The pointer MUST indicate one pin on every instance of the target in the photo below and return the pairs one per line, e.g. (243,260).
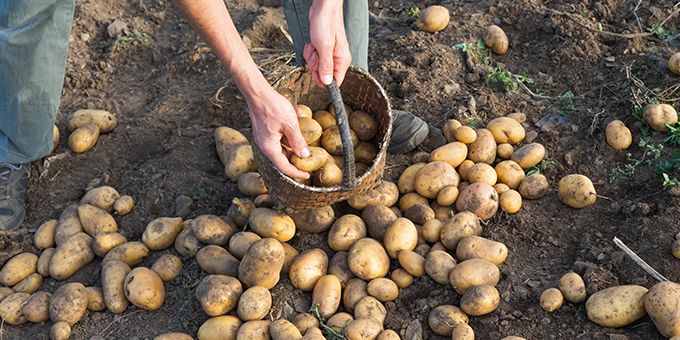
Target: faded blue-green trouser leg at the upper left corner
(33,47)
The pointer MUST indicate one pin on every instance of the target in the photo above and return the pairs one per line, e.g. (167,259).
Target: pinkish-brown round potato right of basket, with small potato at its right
(480,199)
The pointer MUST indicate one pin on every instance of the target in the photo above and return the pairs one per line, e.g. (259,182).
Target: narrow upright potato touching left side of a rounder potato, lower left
(113,285)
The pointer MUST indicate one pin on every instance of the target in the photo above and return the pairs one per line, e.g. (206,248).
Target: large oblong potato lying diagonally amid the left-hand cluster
(69,257)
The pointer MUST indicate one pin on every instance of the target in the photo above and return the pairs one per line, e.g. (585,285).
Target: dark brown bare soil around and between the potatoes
(162,82)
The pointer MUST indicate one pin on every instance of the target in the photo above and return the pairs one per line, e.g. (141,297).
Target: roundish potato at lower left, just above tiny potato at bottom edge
(68,303)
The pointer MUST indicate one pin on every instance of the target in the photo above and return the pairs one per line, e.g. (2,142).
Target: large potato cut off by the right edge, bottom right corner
(661,303)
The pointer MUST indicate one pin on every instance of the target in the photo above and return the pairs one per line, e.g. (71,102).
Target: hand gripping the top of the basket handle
(327,54)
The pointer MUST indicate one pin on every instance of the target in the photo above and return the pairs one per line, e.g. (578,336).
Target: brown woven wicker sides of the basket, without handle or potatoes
(361,92)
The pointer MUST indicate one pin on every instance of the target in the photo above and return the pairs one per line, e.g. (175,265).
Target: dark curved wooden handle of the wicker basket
(349,171)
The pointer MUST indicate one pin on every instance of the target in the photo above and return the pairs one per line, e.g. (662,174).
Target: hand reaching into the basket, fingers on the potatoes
(273,117)
